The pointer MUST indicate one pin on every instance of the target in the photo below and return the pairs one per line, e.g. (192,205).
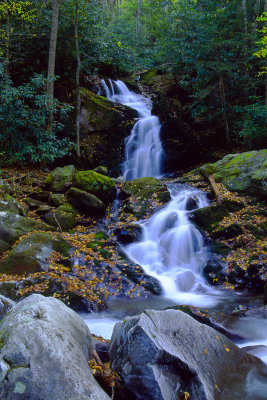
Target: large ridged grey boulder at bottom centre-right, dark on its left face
(167,354)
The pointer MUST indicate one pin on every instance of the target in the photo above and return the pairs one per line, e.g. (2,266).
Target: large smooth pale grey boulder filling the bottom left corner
(45,349)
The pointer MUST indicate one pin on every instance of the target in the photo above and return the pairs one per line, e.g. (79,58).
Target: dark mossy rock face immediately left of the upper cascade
(104,125)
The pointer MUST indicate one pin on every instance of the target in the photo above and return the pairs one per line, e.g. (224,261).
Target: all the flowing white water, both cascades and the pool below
(172,249)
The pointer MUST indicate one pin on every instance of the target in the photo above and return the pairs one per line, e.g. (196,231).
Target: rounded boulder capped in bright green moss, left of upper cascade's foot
(99,185)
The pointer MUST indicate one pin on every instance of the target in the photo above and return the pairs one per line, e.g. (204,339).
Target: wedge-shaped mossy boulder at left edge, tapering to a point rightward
(12,226)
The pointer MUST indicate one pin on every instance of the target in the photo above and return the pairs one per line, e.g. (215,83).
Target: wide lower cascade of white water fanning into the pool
(172,249)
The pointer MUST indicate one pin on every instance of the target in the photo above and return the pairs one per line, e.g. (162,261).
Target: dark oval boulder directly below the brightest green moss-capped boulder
(86,202)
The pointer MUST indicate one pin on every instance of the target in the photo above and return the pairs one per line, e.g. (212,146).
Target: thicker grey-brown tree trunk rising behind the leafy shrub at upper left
(52,58)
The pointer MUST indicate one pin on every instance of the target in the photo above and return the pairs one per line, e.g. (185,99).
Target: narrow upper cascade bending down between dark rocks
(143,148)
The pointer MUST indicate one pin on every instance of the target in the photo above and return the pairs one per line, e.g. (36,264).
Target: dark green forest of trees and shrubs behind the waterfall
(214,50)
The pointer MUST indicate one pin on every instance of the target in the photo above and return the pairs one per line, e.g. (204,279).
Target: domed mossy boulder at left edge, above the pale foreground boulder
(31,254)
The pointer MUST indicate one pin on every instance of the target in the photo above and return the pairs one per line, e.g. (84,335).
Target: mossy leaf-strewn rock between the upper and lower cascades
(142,194)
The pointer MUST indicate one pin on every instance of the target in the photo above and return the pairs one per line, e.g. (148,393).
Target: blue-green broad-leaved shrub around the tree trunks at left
(23,120)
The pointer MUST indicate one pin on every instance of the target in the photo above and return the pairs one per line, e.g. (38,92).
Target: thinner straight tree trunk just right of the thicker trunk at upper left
(77,83)
